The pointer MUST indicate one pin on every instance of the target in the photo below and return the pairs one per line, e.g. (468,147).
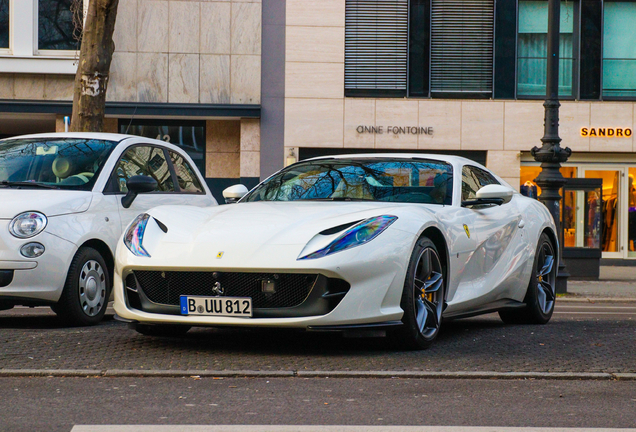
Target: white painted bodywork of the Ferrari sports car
(490,261)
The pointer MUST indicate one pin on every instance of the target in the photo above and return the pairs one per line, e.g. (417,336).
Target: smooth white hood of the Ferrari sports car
(253,224)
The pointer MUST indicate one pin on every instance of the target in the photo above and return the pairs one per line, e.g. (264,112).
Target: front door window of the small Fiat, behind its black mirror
(144,160)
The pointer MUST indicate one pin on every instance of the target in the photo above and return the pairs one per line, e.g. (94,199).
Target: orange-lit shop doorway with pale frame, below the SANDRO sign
(611,209)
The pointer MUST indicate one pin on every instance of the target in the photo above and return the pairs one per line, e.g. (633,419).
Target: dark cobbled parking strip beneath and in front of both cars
(582,337)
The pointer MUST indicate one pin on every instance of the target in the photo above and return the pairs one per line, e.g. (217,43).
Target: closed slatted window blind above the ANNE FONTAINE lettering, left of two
(376,40)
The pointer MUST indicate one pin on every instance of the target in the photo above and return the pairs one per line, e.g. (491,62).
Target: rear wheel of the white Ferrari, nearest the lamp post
(541,294)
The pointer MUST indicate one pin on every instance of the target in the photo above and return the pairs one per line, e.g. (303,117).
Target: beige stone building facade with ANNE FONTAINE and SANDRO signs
(469,77)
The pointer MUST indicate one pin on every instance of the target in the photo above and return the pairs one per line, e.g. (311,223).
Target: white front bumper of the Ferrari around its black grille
(375,276)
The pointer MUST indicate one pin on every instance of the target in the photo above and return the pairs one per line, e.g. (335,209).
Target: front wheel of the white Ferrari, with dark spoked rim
(422,298)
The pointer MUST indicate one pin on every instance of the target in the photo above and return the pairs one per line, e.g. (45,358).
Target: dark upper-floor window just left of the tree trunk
(59,24)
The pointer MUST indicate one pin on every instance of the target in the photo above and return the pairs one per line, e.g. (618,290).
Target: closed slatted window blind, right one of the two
(462,46)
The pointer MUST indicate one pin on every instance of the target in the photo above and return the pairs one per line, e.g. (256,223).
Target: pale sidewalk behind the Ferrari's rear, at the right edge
(615,283)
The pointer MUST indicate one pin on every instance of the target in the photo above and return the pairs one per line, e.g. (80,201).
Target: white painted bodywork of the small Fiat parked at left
(74,218)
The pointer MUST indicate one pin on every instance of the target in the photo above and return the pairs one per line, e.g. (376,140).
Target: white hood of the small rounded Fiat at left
(49,202)
